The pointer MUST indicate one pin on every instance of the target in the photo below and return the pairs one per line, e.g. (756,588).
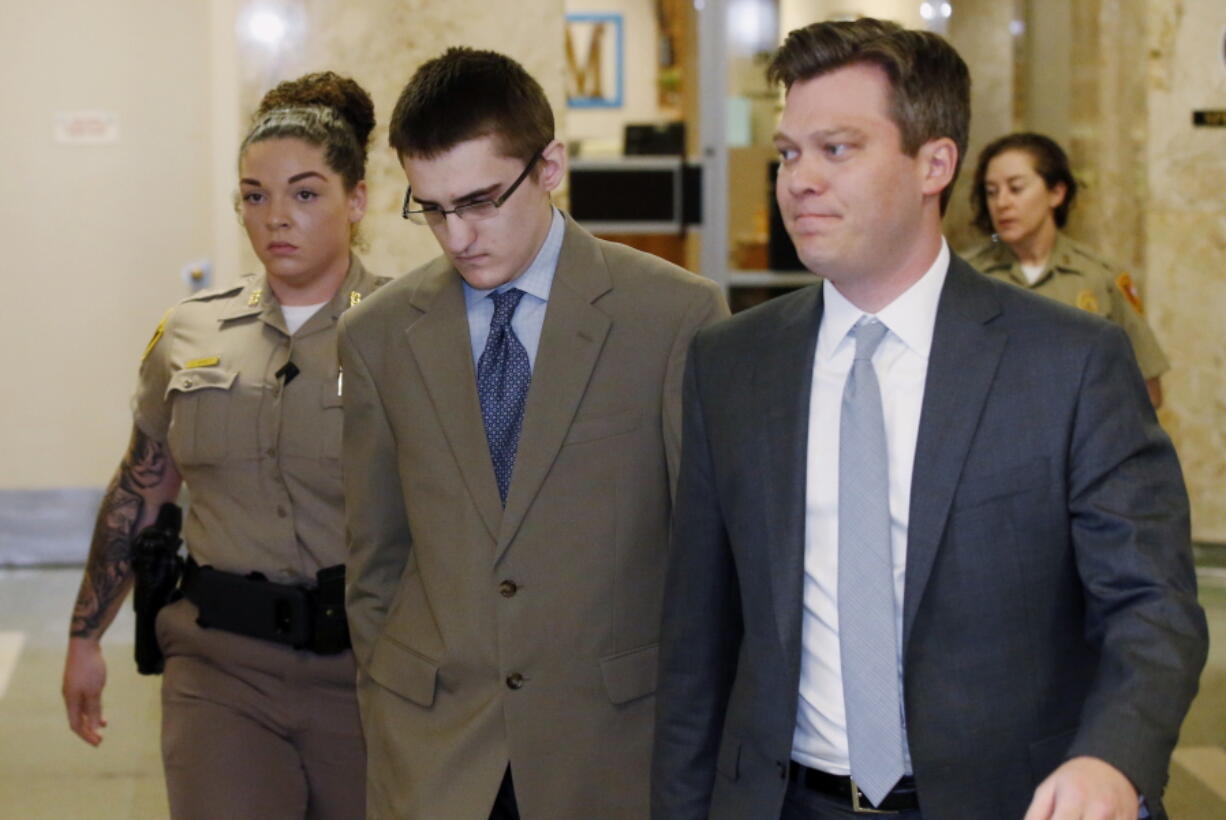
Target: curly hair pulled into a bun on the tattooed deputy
(323,110)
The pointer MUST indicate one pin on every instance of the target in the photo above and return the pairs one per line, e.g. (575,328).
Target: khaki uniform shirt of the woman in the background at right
(1077,276)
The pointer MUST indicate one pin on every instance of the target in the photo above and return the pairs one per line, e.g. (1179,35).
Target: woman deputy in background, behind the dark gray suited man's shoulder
(1022,196)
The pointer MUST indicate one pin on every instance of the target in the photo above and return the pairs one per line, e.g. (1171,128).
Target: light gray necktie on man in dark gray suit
(867,621)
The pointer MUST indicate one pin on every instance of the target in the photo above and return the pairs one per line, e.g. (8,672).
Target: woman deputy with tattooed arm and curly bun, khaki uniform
(240,398)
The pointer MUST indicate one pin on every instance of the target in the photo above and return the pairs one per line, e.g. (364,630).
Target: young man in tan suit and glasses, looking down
(512,439)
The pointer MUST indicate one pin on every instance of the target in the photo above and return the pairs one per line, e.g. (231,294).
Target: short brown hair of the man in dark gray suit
(930,84)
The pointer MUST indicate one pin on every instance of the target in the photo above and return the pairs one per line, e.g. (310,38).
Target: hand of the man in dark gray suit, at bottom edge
(1086,789)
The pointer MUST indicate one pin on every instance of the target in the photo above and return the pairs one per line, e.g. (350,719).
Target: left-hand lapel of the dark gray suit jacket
(784,384)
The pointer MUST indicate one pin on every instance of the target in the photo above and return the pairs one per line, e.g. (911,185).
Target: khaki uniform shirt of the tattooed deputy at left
(261,454)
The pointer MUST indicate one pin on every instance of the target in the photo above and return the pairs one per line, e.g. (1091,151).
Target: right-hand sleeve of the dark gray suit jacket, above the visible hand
(1129,514)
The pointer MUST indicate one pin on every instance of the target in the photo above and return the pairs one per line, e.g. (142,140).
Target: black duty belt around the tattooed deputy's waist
(306,618)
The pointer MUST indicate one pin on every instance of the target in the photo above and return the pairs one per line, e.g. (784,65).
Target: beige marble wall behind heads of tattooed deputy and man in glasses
(381,44)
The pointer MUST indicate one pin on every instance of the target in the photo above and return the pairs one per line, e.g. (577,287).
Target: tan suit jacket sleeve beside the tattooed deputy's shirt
(377,525)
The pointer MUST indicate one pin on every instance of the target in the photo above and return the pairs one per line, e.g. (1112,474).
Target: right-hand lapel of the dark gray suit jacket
(967,351)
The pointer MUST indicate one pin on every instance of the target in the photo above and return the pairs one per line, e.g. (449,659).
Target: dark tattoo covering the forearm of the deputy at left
(109,571)
